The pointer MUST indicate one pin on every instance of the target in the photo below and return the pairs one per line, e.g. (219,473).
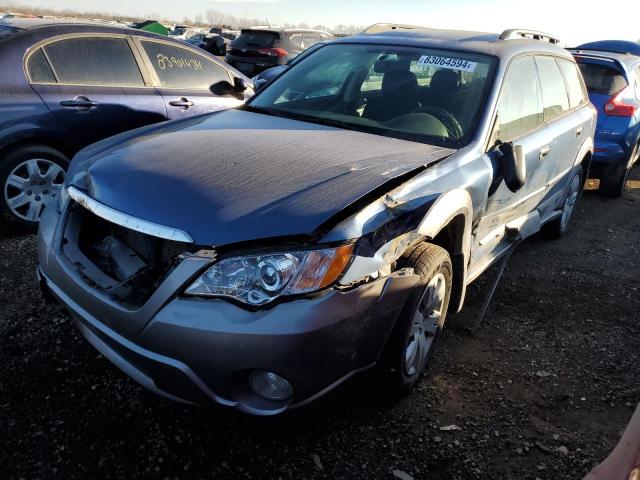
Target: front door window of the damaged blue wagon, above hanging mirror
(520,106)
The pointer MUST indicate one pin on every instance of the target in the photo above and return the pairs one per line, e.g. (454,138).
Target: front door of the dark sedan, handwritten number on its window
(184,77)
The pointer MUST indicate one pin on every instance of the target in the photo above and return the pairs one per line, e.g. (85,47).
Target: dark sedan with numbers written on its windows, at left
(68,84)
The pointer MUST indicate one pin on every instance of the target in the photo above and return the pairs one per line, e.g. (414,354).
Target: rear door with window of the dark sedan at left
(93,85)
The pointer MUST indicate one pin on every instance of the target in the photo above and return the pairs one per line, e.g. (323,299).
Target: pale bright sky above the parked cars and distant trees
(571,20)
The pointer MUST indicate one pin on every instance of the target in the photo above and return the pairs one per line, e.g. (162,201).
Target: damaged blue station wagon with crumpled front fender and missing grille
(262,256)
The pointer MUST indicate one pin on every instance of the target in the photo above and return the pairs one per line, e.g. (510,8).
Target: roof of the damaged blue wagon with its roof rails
(505,45)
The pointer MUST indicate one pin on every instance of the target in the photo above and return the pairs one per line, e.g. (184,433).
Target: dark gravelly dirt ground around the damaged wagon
(543,389)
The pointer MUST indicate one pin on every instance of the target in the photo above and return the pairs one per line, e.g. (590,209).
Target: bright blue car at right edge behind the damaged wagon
(611,70)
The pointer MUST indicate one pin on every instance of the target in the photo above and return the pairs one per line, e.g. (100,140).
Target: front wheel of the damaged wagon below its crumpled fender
(414,336)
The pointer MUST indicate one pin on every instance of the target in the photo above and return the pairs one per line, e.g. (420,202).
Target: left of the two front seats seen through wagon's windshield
(398,96)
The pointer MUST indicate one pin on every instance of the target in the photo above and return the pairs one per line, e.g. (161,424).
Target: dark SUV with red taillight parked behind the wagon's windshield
(259,48)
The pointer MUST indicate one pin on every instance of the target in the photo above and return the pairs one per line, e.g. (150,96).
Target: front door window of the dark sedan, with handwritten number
(181,68)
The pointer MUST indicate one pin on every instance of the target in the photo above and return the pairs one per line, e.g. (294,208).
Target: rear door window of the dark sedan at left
(98,61)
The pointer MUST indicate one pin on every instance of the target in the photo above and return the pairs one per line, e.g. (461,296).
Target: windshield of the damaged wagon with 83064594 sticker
(418,94)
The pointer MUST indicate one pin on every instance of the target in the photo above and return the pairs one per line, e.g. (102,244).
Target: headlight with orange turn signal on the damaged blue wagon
(260,279)
